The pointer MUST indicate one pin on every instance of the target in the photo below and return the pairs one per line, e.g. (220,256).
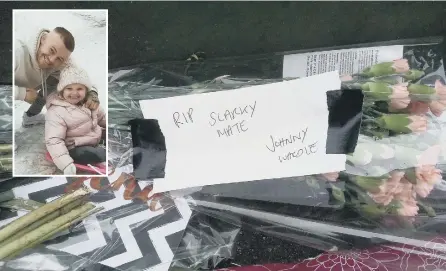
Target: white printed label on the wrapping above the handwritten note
(346,61)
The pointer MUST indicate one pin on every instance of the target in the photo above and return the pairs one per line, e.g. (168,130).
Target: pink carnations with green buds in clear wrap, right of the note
(394,166)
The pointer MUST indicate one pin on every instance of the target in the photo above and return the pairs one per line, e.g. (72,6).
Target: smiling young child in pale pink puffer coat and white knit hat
(73,132)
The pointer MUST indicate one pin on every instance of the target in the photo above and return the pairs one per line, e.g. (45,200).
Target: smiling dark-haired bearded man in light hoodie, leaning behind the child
(38,62)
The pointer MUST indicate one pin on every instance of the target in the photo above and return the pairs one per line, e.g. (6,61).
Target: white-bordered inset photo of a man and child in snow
(60,92)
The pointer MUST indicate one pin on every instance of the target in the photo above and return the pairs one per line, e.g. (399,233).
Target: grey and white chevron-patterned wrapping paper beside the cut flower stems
(125,235)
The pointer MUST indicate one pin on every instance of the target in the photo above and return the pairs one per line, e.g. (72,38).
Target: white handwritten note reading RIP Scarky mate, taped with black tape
(253,133)
